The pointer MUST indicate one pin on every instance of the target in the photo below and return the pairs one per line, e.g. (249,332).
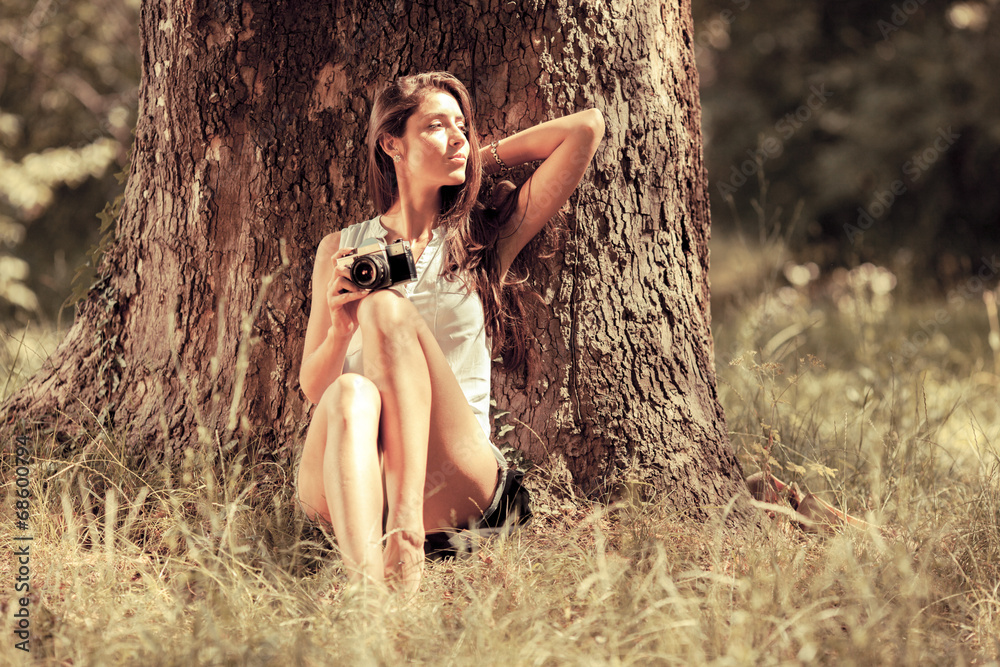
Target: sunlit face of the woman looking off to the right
(435,145)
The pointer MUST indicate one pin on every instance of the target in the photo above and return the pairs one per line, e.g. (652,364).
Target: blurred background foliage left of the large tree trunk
(69,75)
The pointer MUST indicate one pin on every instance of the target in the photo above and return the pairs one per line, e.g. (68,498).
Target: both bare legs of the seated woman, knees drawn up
(438,467)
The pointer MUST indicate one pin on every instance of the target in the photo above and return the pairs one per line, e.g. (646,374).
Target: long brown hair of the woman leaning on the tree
(475,222)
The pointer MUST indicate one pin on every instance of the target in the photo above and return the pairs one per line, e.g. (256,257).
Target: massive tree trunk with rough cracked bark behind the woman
(250,147)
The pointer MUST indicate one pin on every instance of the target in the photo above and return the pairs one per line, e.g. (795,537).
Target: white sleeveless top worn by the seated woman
(453,313)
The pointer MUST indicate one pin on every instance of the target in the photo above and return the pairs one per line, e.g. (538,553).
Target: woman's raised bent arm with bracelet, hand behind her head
(567,145)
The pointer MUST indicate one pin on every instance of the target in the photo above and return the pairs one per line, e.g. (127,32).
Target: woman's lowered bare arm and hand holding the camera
(332,321)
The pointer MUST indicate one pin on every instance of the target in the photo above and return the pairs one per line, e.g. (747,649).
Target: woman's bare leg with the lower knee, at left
(340,478)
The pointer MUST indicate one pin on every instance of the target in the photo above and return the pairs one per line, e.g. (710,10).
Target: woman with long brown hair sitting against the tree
(401,425)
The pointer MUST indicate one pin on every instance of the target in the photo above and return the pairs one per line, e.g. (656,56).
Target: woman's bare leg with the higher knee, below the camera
(439,470)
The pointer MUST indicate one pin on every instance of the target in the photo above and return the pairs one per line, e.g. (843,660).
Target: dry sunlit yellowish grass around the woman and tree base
(837,382)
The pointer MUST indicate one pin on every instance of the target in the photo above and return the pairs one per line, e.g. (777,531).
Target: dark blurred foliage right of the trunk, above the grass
(876,124)
